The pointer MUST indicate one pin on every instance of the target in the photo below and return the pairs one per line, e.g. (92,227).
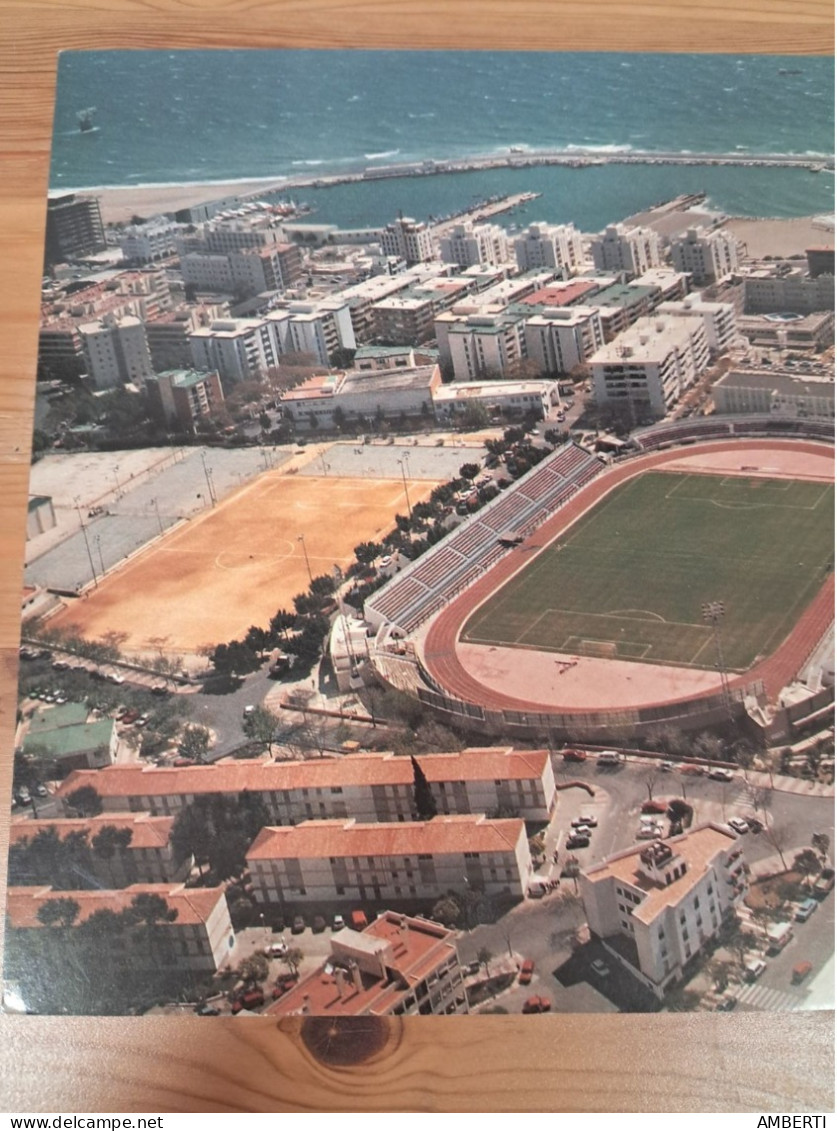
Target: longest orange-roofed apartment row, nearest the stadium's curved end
(367,787)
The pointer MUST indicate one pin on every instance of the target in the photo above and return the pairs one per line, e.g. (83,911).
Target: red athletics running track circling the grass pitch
(439,649)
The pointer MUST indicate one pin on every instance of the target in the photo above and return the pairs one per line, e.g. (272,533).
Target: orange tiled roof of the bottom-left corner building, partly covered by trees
(193,905)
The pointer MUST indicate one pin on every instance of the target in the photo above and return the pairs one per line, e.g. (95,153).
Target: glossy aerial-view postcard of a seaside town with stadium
(429,575)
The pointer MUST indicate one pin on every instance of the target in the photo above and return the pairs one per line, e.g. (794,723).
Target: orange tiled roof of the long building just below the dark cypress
(441,836)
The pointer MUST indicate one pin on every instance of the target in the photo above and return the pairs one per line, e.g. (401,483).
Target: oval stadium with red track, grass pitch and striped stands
(686,584)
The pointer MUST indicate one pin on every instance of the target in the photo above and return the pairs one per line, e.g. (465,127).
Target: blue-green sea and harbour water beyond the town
(186,117)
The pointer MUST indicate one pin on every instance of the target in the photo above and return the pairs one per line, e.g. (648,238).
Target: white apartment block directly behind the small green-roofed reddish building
(237,349)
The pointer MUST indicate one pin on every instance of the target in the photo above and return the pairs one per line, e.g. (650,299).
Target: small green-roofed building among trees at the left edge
(64,737)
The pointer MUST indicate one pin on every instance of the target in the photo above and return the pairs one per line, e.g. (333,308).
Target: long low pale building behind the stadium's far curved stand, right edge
(781,394)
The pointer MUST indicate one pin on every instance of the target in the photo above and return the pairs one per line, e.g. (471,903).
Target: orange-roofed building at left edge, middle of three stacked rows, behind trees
(149,858)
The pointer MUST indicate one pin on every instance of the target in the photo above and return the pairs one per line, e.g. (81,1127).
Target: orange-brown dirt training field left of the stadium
(234,567)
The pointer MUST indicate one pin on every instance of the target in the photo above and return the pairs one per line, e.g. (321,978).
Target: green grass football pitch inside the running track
(631,577)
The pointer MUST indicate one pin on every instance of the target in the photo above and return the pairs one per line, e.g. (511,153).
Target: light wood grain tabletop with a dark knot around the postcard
(674,1063)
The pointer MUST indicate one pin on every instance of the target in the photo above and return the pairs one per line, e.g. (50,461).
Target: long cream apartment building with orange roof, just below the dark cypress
(343,861)
